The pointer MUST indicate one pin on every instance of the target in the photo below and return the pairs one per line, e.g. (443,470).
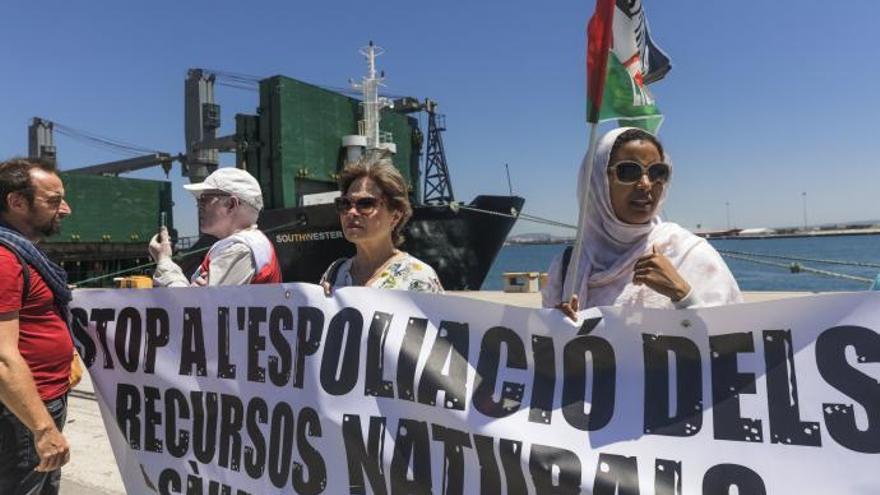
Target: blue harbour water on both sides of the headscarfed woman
(750,276)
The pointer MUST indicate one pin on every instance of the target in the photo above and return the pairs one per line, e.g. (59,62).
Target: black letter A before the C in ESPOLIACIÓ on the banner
(452,344)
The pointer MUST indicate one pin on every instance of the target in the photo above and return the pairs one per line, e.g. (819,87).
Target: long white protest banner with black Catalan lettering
(279,389)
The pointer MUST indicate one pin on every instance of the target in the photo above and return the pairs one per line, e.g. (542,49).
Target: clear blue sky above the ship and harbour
(766,100)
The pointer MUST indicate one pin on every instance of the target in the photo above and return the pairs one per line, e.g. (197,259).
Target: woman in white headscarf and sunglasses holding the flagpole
(629,256)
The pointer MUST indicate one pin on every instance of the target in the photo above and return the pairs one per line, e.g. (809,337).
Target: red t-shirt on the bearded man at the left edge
(43,339)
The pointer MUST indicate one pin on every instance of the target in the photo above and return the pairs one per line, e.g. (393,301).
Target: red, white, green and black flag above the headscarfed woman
(621,61)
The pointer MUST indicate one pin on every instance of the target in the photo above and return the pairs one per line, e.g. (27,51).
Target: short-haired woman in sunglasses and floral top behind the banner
(373,209)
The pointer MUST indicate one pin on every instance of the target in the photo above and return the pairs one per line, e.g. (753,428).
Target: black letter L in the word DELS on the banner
(786,426)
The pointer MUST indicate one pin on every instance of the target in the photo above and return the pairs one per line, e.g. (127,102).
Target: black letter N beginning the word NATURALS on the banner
(365,457)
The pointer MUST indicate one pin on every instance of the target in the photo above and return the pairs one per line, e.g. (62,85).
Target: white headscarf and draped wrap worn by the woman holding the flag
(610,248)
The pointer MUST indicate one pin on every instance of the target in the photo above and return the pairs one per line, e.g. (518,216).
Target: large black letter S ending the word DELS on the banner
(831,360)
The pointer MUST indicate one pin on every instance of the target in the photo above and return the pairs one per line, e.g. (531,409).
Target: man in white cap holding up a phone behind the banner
(229,202)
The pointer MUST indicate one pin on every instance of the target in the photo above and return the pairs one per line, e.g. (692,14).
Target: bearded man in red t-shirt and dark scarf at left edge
(35,343)
